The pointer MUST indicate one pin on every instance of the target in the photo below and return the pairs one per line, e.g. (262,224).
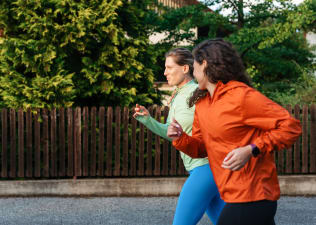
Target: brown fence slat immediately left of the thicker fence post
(70,125)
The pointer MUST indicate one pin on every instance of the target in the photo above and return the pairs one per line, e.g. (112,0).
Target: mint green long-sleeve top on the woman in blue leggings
(179,110)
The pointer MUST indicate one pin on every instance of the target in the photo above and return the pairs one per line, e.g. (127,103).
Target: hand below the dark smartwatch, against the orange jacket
(237,158)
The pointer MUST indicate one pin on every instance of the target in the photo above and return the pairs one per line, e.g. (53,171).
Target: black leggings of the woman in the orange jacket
(249,213)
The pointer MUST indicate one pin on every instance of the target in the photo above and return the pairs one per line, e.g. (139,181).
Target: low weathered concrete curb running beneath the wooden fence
(303,185)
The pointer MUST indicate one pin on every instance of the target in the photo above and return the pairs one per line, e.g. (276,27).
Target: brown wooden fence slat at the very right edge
(313,139)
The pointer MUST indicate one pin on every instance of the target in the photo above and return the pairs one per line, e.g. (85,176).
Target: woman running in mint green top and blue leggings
(199,193)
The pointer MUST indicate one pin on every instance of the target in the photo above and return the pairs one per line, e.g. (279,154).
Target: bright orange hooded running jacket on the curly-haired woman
(236,116)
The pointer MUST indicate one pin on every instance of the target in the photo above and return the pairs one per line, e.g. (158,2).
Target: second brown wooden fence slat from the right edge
(305,139)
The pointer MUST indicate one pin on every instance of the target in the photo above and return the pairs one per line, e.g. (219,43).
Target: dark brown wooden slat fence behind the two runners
(109,142)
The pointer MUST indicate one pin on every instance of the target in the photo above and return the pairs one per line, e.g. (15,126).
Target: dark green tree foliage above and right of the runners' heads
(269,36)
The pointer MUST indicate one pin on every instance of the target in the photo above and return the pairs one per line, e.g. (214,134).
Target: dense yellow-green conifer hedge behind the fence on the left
(58,53)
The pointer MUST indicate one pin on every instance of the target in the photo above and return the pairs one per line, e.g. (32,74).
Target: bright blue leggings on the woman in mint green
(199,194)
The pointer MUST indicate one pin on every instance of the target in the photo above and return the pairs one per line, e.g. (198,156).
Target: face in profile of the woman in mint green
(174,73)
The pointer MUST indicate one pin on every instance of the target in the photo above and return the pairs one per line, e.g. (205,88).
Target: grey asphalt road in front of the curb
(127,211)
